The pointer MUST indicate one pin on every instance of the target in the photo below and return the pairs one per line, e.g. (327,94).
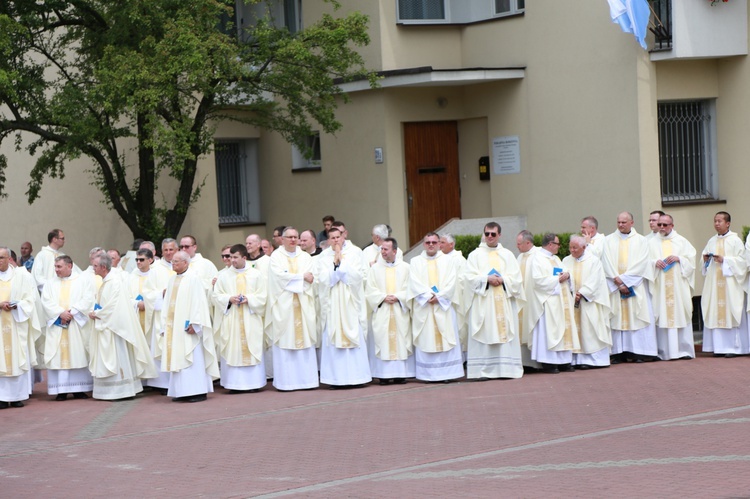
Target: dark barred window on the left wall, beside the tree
(238,193)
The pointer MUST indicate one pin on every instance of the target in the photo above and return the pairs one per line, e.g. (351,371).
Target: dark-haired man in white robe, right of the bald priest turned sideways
(239,298)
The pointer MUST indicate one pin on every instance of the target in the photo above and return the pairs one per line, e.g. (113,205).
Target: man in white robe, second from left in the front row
(67,300)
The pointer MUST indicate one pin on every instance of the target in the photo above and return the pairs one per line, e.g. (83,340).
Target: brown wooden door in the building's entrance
(432,181)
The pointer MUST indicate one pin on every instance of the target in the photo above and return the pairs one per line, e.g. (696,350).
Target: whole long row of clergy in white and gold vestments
(344,316)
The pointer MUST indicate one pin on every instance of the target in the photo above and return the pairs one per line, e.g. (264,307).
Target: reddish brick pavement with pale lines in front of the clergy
(663,429)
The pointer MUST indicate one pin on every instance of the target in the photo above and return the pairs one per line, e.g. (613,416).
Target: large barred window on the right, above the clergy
(687,158)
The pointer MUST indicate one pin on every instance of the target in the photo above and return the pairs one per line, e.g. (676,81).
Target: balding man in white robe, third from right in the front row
(627,268)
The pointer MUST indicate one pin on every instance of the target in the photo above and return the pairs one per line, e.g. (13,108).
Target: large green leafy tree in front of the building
(137,87)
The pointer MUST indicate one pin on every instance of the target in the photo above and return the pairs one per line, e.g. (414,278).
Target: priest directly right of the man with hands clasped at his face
(390,346)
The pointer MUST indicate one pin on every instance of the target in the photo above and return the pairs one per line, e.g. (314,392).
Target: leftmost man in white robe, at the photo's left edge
(19,330)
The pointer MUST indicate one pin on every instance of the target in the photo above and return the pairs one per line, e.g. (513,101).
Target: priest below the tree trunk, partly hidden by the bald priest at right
(147,285)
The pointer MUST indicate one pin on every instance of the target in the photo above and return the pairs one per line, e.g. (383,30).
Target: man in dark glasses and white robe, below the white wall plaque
(494,287)
